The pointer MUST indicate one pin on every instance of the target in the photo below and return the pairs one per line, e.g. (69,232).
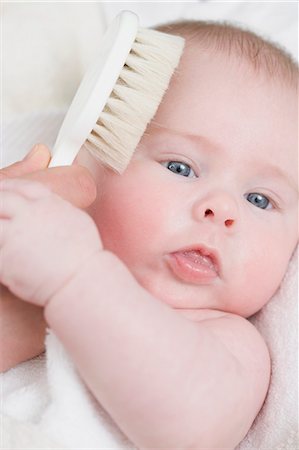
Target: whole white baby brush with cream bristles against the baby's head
(119,94)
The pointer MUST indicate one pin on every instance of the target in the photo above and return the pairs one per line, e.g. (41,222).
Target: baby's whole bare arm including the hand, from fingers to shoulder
(166,381)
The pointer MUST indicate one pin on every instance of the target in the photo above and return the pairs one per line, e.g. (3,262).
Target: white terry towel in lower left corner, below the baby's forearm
(44,403)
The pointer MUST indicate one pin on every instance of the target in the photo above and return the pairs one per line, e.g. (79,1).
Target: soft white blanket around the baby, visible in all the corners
(46,48)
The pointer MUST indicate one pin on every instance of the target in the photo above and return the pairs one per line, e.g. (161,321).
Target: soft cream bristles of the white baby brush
(135,98)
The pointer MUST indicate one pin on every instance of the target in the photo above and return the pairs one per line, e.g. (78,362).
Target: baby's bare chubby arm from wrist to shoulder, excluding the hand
(167,382)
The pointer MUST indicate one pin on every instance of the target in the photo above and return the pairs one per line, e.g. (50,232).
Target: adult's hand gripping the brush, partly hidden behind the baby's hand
(22,326)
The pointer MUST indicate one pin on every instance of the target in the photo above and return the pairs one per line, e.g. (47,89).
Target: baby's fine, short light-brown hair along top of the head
(262,54)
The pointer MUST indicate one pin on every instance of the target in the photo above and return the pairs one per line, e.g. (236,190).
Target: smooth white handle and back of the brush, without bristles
(95,88)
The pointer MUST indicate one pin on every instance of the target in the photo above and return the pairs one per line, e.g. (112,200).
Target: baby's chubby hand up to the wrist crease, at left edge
(43,240)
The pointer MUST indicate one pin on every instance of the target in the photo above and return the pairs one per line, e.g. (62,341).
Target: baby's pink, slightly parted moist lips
(196,265)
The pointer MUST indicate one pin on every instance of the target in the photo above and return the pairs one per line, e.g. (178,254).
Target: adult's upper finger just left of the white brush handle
(37,159)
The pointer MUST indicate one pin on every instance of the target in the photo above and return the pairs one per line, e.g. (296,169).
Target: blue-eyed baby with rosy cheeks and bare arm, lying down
(149,292)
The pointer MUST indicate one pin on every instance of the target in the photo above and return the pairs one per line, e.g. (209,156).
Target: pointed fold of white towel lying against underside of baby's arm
(73,417)
